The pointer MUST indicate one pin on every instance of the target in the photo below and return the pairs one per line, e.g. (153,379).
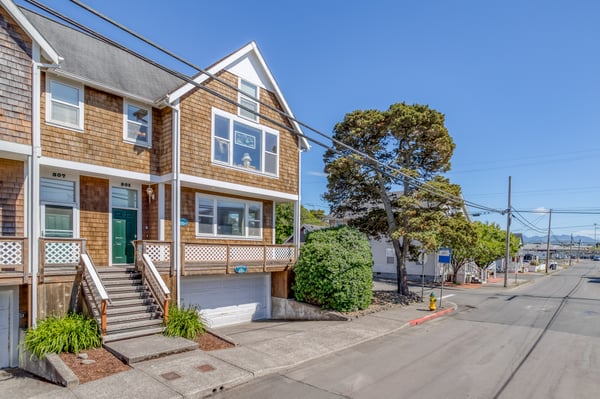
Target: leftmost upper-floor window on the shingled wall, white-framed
(64,104)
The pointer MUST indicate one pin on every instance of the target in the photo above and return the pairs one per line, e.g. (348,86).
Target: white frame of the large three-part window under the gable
(231,144)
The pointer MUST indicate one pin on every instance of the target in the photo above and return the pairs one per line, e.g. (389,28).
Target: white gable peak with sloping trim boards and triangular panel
(248,63)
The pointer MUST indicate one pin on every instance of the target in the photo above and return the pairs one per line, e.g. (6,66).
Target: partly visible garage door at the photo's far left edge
(8,328)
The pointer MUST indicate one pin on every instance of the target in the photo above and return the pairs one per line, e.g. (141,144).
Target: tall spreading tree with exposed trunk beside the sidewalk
(400,147)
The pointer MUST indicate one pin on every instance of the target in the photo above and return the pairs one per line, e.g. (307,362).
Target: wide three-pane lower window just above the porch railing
(226,217)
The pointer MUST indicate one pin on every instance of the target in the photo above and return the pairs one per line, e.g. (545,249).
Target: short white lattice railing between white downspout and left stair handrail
(61,254)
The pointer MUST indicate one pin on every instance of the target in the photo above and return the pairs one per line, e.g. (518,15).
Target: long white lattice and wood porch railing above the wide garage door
(236,258)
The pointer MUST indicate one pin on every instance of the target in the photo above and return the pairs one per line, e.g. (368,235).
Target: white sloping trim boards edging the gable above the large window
(250,48)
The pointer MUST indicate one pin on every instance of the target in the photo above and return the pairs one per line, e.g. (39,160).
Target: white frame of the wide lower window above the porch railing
(215,201)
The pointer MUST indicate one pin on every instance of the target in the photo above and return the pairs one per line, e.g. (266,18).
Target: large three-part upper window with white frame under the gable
(244,145)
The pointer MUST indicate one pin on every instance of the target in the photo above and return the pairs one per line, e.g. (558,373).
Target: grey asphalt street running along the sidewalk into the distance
(538,340)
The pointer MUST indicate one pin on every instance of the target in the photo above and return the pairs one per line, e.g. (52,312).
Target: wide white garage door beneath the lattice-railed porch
(232,299)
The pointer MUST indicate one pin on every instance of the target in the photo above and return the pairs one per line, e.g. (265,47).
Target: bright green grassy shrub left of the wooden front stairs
(71,333)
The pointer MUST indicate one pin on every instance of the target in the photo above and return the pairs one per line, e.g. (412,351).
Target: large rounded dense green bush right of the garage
(335,270)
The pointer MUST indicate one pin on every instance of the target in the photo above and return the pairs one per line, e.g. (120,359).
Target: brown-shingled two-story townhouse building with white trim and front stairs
(99,149)
